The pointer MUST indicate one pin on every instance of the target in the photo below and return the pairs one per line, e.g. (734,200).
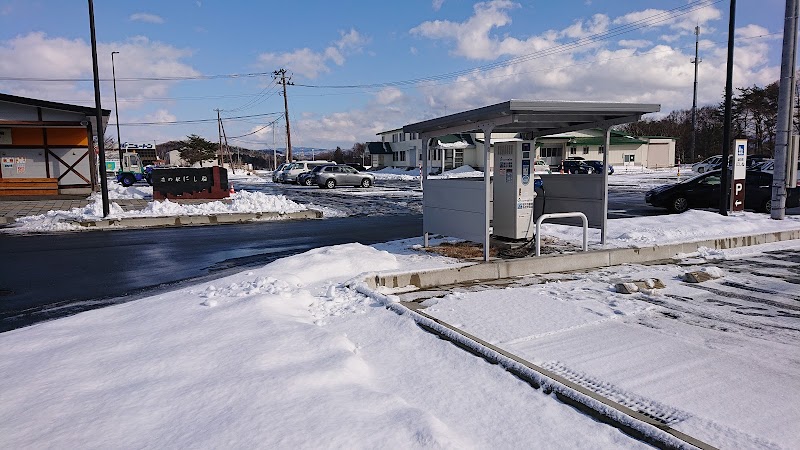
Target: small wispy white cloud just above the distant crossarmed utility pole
(311,64)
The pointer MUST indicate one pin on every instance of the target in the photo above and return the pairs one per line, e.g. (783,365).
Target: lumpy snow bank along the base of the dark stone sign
(240,202)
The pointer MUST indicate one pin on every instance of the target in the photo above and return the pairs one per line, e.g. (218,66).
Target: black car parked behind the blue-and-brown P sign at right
(703,191)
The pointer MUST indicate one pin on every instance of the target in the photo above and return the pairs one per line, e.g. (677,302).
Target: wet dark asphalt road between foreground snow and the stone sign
(50,276)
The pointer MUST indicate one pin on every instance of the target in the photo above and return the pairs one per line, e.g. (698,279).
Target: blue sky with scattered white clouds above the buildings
(409,60)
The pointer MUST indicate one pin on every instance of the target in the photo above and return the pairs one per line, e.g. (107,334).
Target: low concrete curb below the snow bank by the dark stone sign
(214,219)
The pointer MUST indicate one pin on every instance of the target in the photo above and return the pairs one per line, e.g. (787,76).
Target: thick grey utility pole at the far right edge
(785,110)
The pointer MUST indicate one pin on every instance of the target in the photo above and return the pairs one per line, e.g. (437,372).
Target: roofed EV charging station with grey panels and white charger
(503,202)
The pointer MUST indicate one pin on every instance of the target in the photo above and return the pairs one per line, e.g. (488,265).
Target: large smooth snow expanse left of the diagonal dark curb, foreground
(283,356)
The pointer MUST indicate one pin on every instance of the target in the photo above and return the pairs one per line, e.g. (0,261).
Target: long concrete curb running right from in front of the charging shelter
(495,270)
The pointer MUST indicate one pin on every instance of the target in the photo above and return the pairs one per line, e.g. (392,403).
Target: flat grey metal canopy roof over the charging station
(537,117)
